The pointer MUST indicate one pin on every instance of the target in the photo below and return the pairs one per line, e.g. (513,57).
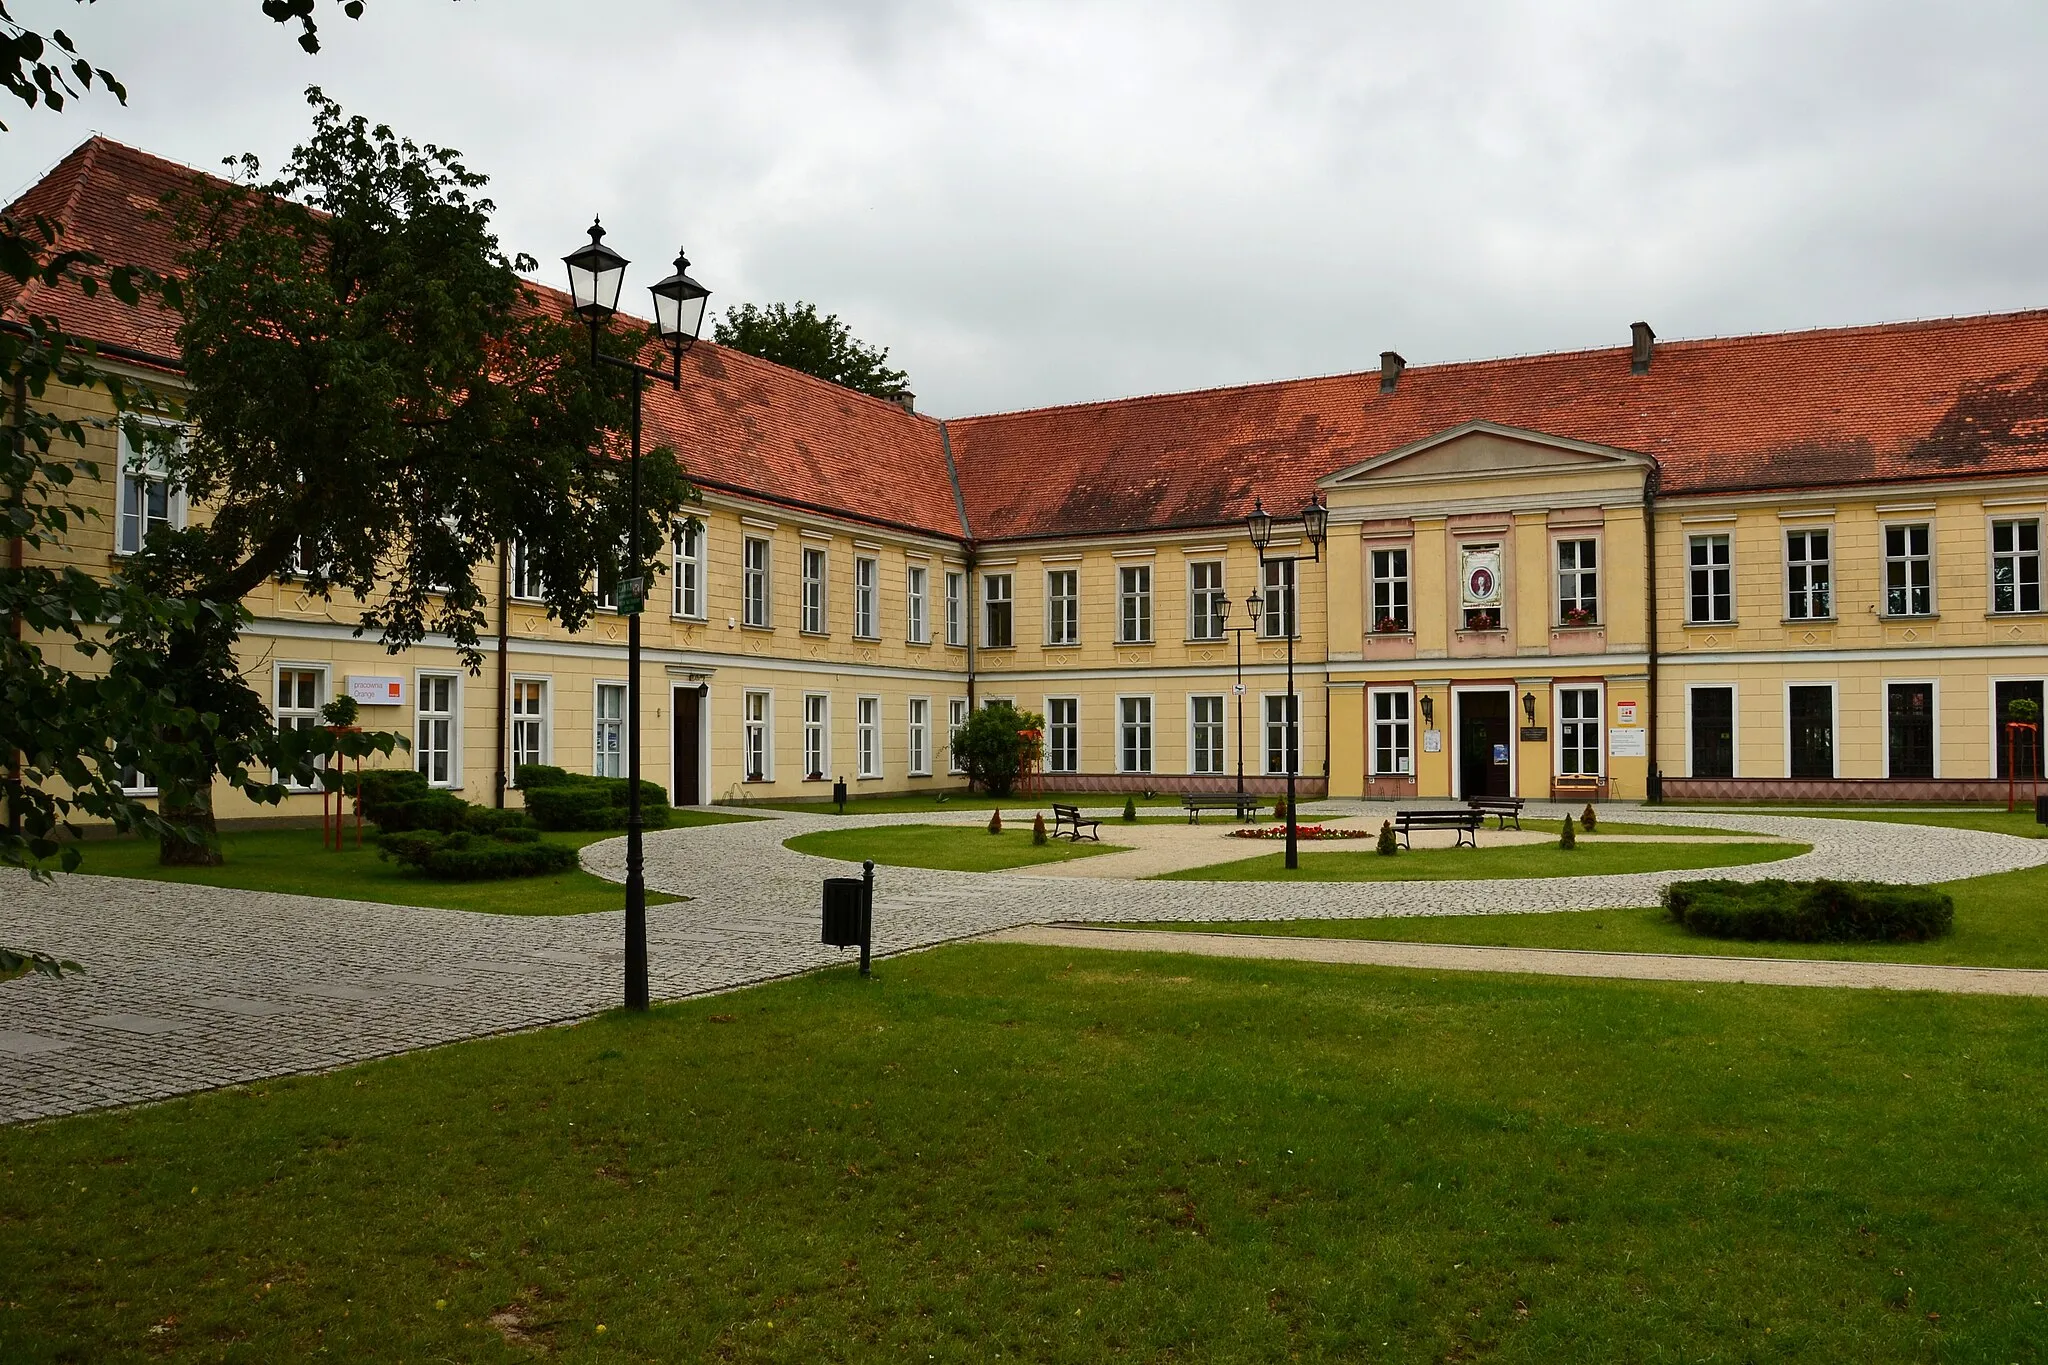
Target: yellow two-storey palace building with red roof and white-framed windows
(1799,566)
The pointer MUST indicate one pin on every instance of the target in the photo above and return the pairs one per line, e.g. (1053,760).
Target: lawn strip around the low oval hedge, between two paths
(2000,922)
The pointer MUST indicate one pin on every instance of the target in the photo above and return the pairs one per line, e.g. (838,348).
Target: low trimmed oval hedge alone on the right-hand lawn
(1811,912)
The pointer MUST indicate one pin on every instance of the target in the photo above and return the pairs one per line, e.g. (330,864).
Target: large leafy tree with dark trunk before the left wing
(378,402)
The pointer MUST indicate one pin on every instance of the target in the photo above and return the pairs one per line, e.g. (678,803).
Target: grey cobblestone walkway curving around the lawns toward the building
(196,987)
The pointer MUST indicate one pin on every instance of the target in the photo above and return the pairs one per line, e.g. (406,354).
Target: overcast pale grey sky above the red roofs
(1048,204)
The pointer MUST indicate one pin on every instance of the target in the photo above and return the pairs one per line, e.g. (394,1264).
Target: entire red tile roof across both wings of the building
(1910,402)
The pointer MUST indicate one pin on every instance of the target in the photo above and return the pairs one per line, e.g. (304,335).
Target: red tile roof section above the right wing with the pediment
(1902,402)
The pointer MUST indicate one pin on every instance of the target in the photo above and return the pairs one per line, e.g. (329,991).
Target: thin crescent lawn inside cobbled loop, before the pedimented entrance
(1514,861)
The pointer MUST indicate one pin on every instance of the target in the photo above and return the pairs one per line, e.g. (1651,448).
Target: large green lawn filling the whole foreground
(1013,1153)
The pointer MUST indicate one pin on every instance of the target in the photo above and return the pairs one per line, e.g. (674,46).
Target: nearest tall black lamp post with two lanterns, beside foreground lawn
(597,275)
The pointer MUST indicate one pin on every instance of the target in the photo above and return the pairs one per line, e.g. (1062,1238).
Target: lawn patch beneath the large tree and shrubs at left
(292,861)
